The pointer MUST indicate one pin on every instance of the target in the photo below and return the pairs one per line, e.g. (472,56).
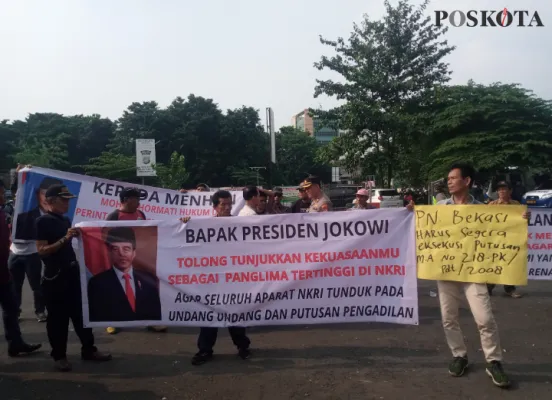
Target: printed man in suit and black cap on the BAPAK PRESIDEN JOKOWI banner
(123,293)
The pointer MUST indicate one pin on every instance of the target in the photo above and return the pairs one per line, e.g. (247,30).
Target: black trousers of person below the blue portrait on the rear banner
(30,265)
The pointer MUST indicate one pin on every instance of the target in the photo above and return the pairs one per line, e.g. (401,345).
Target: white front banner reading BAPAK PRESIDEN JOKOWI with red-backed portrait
(245,271)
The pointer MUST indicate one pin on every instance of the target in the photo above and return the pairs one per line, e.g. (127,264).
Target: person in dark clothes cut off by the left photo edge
(8,299)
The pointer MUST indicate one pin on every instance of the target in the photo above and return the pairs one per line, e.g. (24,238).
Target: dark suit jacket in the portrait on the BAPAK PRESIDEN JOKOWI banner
(107,300)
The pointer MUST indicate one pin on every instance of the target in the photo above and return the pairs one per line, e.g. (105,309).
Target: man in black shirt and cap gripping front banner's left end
(61,284)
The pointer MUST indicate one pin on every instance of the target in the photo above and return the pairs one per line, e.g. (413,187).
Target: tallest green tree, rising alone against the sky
(388,68)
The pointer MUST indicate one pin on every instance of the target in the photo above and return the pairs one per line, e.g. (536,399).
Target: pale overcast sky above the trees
(99,56)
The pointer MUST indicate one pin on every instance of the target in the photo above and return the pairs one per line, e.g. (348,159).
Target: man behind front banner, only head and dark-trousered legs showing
(222,203)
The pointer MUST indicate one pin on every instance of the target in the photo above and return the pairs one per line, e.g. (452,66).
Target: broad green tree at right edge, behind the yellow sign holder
(494,127)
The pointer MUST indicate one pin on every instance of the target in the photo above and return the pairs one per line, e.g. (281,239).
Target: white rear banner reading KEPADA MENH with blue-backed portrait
(98,197)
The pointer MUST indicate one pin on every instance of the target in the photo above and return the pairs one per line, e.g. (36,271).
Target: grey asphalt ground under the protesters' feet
(351,361)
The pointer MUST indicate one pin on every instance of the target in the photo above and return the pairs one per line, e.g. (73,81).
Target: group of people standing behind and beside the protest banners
(60,287)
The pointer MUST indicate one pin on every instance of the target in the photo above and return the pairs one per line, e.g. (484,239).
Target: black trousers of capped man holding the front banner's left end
(64,303)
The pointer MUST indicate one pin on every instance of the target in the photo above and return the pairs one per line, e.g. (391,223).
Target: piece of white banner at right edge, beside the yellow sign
(539,246)
